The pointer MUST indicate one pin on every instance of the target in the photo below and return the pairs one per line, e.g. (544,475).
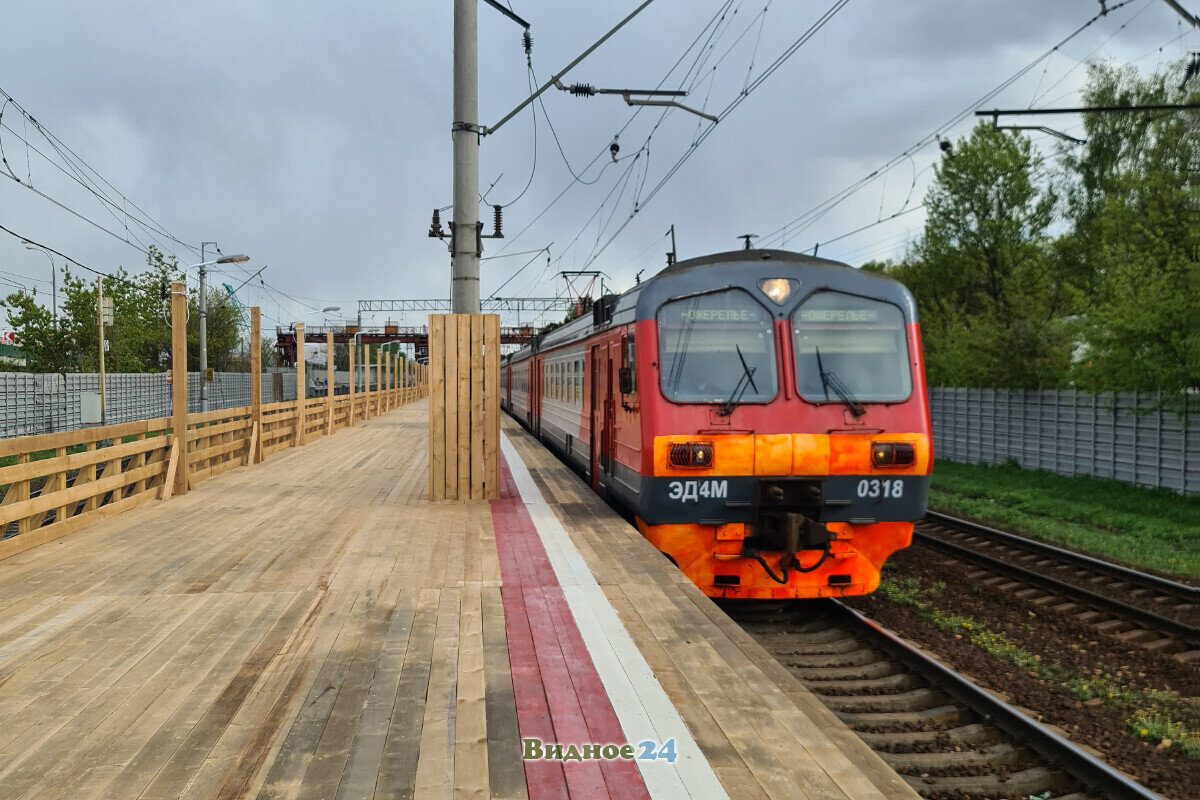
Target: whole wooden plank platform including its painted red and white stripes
(314,628)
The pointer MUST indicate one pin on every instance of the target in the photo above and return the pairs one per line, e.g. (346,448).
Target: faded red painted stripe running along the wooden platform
(559,693)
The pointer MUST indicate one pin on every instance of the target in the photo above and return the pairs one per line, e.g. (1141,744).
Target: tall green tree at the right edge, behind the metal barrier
(1133,252)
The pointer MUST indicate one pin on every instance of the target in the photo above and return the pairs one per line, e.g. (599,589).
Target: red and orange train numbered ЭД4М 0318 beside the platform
(761,414)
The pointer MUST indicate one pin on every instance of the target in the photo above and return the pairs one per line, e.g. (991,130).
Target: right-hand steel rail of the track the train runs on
(1091,772)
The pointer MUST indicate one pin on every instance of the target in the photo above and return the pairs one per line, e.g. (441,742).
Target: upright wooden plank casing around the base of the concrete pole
(465,407)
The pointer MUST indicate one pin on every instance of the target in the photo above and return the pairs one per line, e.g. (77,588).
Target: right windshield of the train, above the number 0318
(850,347)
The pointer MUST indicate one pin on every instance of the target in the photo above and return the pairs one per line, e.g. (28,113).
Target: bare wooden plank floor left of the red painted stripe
(301,629)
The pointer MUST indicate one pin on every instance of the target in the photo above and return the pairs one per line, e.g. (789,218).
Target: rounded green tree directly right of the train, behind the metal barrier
(992,303)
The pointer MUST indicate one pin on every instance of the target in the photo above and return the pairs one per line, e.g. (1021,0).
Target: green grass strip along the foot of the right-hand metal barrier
(1151,530)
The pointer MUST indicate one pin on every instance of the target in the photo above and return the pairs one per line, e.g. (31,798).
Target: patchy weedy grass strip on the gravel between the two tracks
(1155,717)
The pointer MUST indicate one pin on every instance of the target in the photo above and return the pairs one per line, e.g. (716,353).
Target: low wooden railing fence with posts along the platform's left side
(61,483)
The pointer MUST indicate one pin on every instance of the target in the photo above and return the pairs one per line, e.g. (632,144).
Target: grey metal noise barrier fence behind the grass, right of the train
(1139,438)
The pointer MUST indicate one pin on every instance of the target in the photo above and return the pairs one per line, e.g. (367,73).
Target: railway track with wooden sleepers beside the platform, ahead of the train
(945,736)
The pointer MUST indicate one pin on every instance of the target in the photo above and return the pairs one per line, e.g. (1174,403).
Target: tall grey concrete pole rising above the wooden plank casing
(465,131)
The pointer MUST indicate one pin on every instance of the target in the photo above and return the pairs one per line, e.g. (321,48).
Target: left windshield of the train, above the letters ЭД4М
(717,348)
